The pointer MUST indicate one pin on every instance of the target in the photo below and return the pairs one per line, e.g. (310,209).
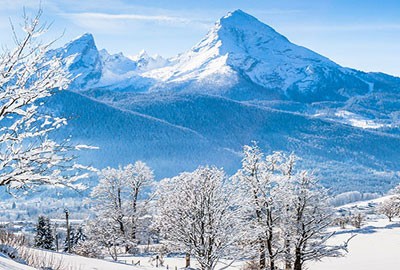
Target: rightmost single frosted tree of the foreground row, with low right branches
(310,216)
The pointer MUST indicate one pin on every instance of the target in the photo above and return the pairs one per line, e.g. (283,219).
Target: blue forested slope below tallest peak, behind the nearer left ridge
(347,158)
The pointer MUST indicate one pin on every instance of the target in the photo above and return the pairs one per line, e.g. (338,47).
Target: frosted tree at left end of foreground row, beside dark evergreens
(122,196)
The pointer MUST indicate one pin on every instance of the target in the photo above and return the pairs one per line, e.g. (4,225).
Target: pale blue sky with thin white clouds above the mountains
(359,34)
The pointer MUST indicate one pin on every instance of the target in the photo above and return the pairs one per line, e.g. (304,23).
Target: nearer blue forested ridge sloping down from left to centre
(124,137)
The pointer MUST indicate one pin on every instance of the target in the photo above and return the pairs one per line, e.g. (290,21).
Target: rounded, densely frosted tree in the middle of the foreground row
(197,212)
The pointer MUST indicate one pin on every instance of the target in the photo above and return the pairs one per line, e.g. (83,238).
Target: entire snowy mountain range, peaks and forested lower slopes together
(242,82)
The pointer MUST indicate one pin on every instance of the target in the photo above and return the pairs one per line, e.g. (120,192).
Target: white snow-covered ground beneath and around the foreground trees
(375,246)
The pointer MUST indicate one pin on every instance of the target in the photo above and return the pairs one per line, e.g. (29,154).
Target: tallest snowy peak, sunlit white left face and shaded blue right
(247,60)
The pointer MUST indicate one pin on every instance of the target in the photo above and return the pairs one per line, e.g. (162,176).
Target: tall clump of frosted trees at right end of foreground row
(285,213)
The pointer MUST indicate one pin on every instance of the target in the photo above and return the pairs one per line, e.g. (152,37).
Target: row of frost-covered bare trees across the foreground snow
(268,213)
